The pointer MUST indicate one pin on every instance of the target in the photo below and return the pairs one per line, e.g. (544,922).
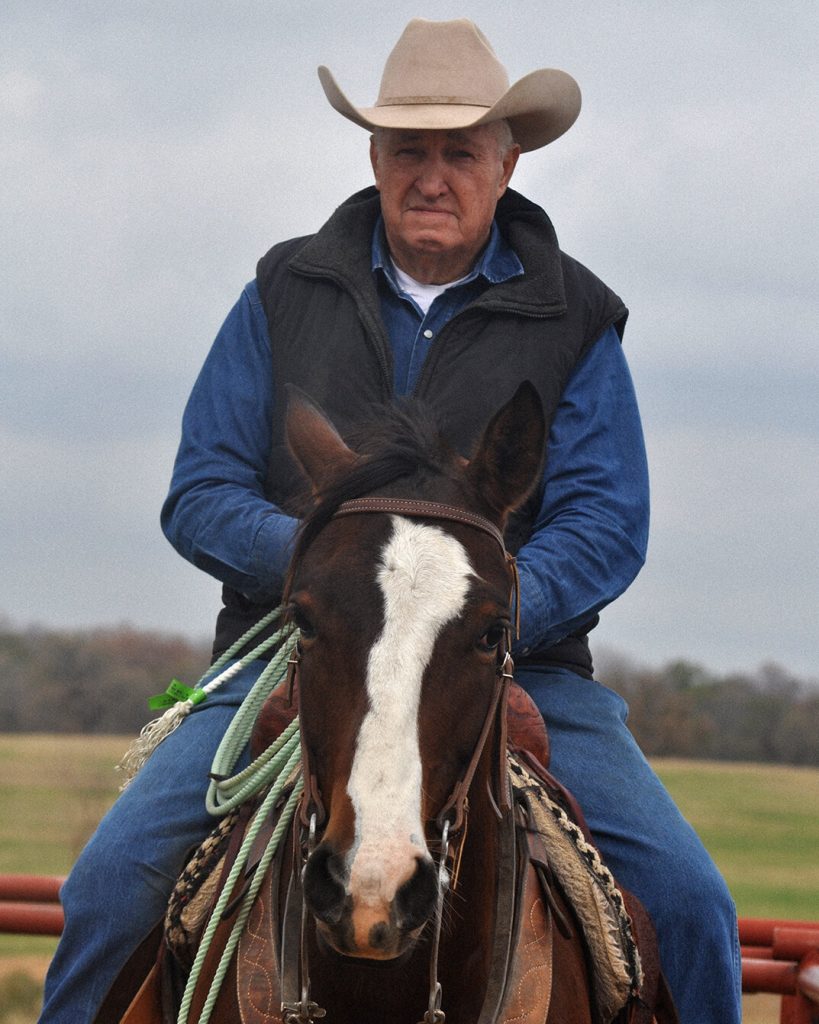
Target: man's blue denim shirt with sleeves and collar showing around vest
(591,534)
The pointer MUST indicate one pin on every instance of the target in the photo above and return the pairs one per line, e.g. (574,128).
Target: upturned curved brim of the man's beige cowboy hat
(540,108)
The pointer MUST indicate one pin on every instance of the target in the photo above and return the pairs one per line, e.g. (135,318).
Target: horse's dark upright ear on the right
(507,463)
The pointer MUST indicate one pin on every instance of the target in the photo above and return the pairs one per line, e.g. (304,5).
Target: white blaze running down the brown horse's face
(424,579)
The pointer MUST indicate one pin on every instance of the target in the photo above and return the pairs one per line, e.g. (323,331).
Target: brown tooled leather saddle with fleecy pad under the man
(558,888)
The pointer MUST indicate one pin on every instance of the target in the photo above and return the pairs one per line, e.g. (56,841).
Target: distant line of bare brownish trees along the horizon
(99,681)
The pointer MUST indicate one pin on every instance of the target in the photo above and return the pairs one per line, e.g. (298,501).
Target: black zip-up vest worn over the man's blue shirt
(327,336)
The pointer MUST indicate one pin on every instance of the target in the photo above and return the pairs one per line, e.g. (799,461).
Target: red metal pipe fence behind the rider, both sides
(779,957)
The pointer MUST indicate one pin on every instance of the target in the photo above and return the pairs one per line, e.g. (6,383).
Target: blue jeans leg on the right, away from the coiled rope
(645,841)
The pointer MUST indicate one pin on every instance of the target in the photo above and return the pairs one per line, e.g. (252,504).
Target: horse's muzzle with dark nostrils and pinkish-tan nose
(363,913)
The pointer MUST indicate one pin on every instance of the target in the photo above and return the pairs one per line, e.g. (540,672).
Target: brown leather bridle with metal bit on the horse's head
(452,819)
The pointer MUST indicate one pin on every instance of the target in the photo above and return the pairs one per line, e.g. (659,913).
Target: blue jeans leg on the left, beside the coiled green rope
(119,888)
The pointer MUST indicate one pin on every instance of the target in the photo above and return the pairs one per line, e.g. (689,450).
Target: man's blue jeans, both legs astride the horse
(120,885)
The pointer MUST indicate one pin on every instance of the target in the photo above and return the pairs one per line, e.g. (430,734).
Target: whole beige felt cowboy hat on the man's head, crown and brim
(446,75)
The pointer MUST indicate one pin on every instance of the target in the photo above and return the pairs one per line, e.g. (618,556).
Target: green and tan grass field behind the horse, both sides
(760,824)
